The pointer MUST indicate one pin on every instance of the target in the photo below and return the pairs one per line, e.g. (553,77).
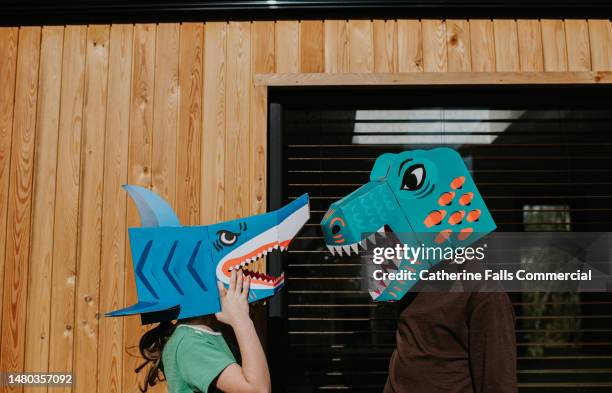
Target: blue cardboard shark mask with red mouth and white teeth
(177,267)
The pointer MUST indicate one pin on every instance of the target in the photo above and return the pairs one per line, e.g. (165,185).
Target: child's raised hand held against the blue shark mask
(234,301)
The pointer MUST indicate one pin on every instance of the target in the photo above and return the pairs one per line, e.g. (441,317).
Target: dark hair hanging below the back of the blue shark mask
(151,346)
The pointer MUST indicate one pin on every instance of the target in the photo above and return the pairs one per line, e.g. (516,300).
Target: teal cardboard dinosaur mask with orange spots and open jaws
(425,197)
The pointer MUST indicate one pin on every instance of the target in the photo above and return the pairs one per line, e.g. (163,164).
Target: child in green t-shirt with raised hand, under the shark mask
(195,358)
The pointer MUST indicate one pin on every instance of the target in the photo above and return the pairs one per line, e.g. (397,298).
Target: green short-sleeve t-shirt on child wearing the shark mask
(193,357)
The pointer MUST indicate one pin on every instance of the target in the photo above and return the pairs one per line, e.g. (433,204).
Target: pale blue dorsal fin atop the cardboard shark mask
(154,211)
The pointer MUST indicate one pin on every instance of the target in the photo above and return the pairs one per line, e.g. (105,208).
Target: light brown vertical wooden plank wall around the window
(173,107)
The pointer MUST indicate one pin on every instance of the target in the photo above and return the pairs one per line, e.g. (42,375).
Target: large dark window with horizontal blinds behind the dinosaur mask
(542,158)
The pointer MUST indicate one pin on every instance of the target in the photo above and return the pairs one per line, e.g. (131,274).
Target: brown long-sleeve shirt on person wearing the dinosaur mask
(455,343)
